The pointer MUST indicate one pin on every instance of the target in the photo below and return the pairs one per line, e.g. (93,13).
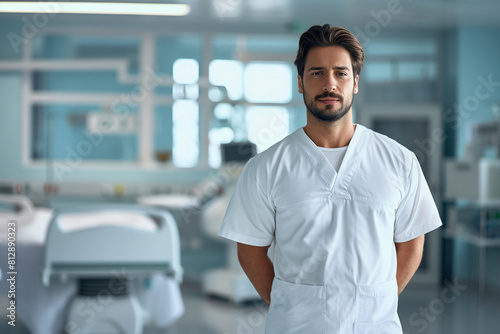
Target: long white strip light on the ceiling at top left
(112,8)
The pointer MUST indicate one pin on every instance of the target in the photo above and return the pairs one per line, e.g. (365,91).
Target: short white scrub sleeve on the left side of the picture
(250,216)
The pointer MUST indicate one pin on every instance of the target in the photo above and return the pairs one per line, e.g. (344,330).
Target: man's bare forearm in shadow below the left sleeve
(258,267)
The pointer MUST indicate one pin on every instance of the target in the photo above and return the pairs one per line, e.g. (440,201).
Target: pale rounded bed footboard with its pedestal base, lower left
(105,246)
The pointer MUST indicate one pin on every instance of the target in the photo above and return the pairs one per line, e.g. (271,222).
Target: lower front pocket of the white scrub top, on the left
(296,309)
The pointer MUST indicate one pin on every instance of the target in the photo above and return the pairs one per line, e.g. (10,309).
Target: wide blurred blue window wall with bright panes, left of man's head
(96,89)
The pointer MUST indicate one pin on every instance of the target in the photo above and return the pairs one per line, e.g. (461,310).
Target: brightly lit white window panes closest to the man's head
(265,84)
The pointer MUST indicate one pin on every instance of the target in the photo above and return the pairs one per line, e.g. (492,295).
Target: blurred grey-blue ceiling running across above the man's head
(297,15)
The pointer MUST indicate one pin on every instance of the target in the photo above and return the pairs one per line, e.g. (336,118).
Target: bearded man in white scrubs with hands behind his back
(345,208)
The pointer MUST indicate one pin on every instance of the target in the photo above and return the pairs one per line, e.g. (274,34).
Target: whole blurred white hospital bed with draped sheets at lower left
(43,301)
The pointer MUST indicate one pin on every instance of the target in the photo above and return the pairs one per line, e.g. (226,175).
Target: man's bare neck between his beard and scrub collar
(333,135)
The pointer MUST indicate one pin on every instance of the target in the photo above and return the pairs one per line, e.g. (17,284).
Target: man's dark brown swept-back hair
(326,36)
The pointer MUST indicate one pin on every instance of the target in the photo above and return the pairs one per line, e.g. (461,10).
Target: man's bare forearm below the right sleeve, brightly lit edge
(409,255)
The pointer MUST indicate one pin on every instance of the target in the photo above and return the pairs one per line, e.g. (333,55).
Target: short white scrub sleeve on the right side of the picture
(417,213)
